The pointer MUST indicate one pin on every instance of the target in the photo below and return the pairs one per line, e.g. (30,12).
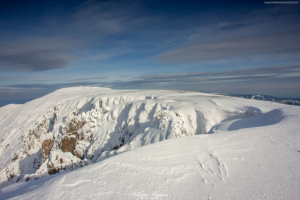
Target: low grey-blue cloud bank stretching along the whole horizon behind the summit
(265,80)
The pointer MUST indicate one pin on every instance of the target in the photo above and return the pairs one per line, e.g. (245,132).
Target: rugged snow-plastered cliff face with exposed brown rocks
(62,134)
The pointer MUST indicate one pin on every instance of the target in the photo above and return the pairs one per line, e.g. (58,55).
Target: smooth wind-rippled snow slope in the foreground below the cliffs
(257,163)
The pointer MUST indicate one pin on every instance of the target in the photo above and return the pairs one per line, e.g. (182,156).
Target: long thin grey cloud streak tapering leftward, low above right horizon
(254,74)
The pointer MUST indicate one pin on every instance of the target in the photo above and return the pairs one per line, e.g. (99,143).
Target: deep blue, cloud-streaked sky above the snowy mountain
(242,47)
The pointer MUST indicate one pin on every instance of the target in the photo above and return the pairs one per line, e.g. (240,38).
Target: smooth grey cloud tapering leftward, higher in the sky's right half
(246,47)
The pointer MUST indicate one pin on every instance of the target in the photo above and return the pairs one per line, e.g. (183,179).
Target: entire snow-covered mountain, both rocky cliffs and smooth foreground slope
(236,149)
